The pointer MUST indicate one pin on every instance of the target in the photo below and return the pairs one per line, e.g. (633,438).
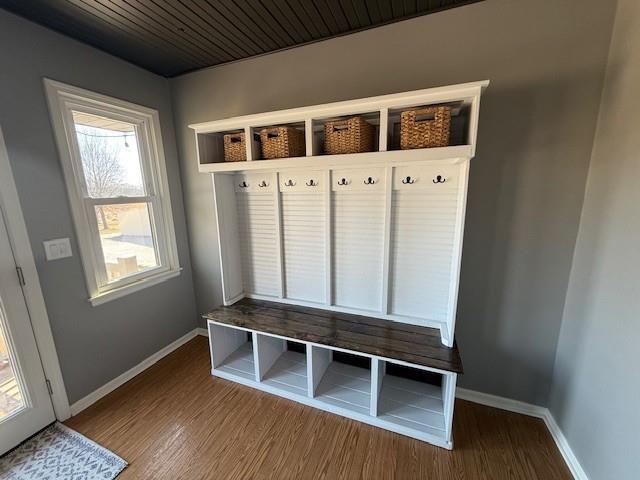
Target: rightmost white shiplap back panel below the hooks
(423,226)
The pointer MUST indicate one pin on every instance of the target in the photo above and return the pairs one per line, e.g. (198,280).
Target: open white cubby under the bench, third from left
(345,382)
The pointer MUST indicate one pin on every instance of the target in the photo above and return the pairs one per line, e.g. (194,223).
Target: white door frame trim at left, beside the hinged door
(19,239)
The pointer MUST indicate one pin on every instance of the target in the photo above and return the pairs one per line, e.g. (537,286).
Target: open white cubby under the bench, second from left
(282,364)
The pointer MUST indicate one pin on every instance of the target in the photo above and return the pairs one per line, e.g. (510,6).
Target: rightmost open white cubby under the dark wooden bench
(412,398)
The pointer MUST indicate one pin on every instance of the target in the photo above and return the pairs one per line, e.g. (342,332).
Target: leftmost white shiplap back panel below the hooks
(257,229)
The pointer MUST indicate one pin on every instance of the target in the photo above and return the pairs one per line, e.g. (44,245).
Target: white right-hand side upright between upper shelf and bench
(448,335)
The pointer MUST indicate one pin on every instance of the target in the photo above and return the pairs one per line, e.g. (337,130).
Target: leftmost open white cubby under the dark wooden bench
(232,351)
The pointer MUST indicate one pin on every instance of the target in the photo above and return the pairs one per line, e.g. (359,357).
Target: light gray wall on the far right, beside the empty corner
(596,388)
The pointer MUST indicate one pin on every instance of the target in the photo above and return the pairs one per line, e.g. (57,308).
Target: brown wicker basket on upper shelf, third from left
(351,135)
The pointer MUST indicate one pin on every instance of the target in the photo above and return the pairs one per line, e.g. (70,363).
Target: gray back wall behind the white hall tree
(546,63)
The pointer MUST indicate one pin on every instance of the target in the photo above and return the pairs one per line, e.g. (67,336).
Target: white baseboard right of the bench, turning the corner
(533,411)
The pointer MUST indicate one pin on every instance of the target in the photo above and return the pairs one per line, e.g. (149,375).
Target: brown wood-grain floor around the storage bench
(176,421)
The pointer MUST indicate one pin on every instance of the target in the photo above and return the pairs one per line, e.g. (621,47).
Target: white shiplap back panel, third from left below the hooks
(358,242)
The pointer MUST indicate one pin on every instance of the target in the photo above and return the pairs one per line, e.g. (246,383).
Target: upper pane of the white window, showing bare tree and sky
(110,156)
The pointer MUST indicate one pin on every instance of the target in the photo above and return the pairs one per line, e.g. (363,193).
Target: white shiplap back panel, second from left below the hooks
(303,239)
